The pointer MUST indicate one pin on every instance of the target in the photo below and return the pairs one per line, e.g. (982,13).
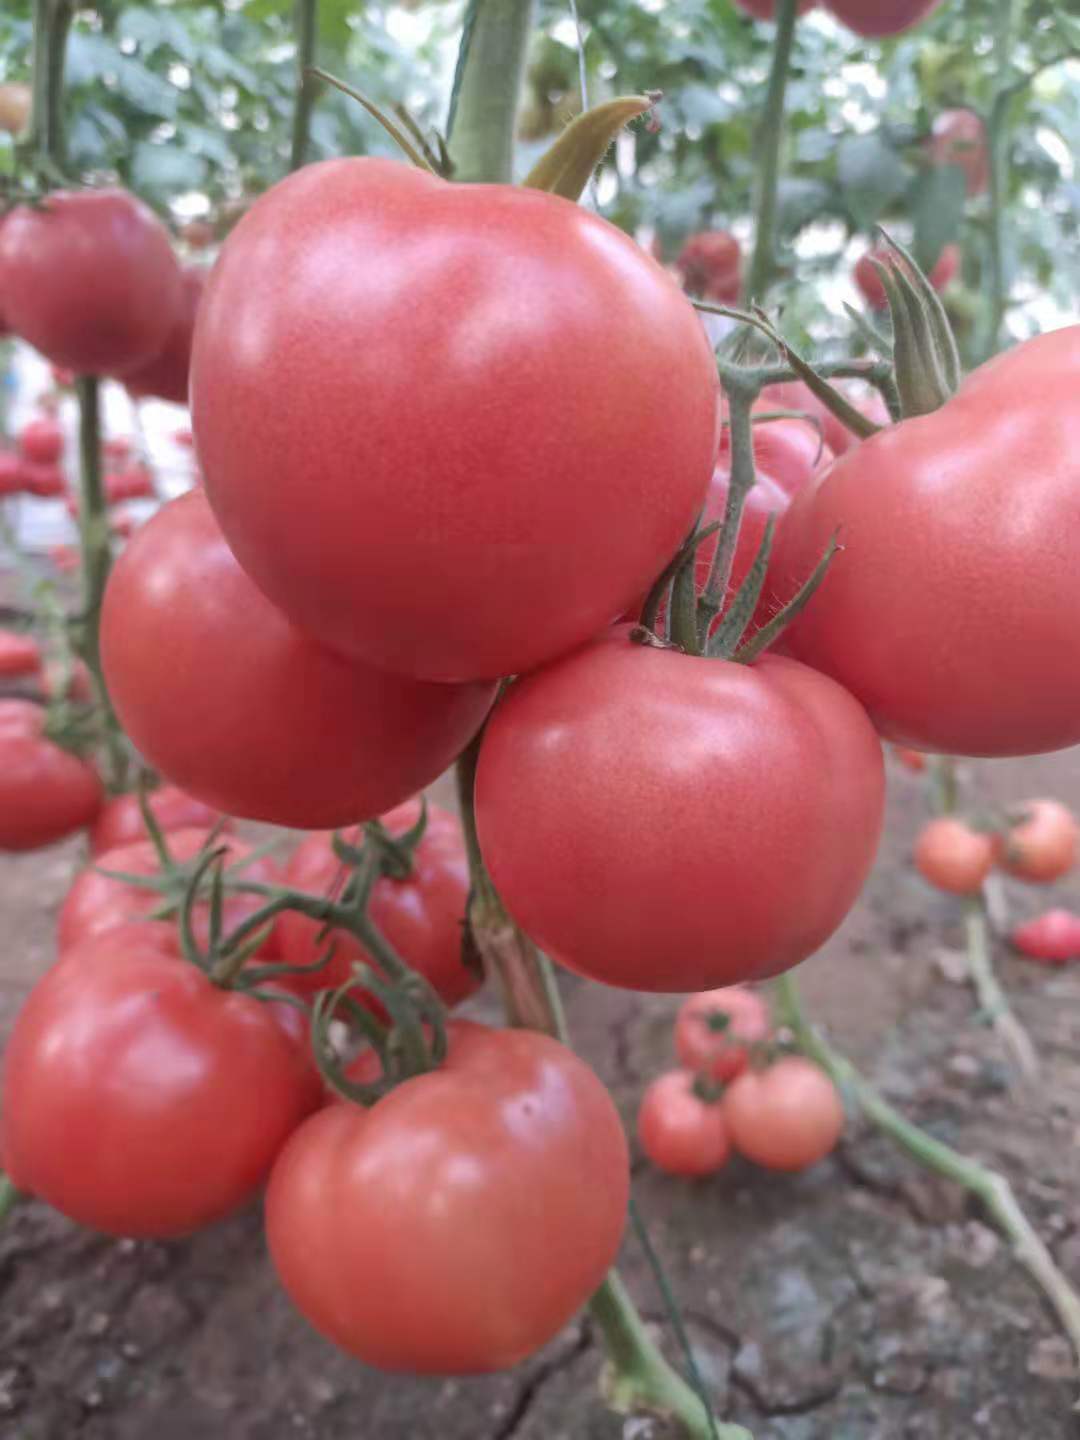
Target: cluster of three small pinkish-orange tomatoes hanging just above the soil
(734,1095)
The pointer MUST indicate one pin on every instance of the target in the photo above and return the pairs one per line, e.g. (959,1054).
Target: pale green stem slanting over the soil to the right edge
(989,1187)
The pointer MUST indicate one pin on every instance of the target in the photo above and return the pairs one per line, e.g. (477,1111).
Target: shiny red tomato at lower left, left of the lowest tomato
(142,1099)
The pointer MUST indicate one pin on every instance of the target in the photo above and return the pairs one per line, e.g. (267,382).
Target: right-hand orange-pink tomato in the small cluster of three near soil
(786,1118)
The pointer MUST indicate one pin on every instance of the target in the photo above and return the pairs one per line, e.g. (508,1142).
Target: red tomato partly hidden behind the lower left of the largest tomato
(246,711)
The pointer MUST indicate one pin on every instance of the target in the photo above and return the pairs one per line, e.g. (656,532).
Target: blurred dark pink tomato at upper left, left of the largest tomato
(90,280)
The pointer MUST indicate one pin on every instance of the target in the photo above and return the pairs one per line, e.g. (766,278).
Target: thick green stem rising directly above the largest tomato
(495,47)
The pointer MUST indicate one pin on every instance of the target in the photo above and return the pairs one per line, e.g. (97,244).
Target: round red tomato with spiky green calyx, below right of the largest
(610,762)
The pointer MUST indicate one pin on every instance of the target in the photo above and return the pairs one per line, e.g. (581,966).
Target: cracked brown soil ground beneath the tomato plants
(863,1301)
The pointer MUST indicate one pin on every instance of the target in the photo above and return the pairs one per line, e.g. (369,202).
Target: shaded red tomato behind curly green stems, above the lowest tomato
(421,917)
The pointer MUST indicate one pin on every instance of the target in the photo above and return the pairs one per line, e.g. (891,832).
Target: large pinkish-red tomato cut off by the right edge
(951,610)
